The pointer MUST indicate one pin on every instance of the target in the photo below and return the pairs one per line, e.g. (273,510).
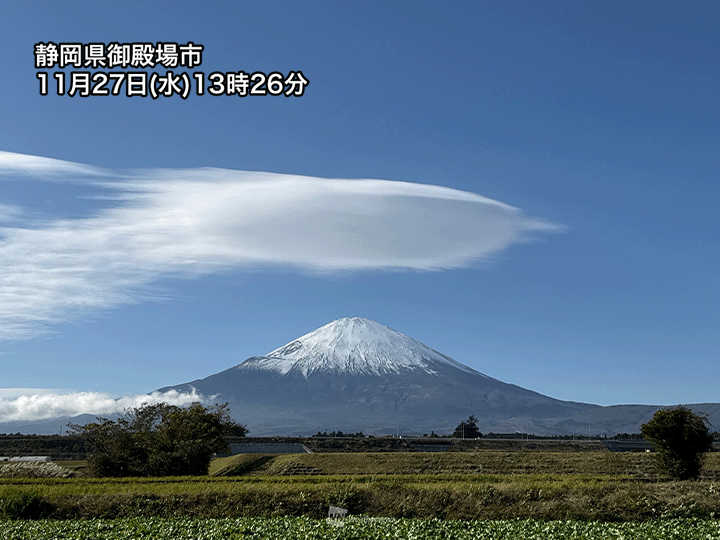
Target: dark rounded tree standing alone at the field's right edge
(680,439)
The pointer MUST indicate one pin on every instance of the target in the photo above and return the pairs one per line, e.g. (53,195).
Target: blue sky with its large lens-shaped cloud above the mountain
(540,200)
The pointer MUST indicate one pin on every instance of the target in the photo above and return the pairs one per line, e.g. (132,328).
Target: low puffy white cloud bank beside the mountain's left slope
(41,405)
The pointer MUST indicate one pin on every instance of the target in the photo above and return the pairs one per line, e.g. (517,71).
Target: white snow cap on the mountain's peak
(353,346)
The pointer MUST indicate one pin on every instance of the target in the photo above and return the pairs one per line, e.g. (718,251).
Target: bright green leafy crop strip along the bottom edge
(349,528)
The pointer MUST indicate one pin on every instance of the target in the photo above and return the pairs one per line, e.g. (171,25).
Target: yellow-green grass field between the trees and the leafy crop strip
(484,485)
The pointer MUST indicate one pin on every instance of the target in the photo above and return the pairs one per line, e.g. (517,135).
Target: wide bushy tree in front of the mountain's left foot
(158,440)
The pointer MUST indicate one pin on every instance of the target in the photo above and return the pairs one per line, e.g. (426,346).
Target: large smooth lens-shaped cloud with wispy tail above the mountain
(189,222)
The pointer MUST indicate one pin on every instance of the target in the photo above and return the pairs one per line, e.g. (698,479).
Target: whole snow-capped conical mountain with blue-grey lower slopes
(355,374)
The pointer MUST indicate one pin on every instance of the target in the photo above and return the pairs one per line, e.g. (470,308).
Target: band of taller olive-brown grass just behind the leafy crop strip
(391,497)
